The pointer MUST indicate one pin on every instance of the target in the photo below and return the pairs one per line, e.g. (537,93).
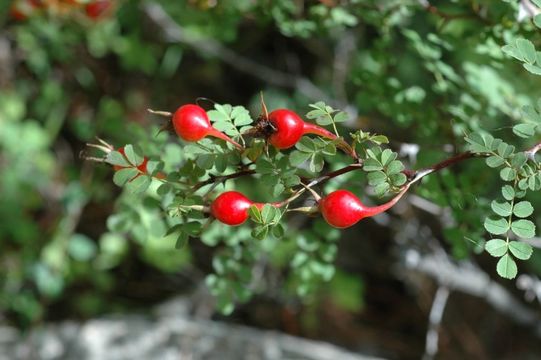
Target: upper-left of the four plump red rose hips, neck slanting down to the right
(192,123)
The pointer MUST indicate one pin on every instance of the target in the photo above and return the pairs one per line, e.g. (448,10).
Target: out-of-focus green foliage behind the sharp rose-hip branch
(415,74)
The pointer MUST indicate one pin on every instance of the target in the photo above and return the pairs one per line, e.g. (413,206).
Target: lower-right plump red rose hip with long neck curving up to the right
(342,208)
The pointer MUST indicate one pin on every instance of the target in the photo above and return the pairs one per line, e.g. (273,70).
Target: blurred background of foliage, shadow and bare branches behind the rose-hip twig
(73,246)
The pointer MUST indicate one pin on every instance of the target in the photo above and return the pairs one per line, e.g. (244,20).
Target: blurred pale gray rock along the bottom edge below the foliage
(169,334)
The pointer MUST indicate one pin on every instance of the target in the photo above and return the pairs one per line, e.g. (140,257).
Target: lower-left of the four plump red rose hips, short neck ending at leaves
(231,207)
